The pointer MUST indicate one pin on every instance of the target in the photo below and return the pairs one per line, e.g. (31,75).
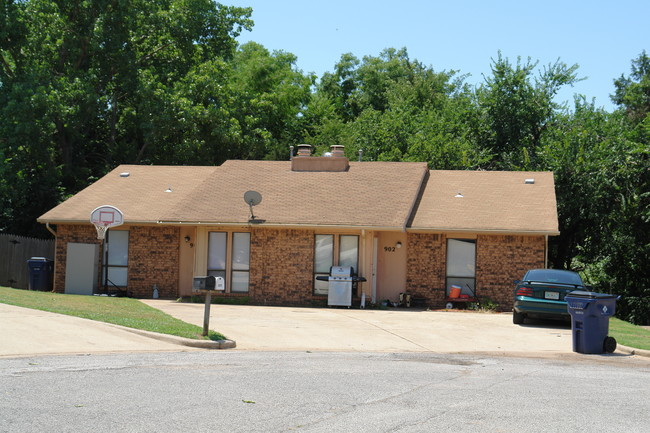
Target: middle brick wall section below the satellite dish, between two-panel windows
(281,267)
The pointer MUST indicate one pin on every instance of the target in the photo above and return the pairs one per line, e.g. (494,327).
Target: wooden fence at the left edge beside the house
(14,253)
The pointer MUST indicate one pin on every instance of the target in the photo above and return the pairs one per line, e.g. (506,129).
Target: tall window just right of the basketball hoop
(116,259)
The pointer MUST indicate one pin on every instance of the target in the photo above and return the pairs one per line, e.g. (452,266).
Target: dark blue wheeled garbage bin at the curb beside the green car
(590,313)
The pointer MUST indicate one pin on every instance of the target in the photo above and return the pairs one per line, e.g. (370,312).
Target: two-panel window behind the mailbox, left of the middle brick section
(237,265)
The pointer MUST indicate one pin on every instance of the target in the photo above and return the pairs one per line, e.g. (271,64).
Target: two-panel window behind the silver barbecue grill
(347,248)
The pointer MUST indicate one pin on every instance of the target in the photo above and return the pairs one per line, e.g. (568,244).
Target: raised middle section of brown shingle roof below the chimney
(369,194)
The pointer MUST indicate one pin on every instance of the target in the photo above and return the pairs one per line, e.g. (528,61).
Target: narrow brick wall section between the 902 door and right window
(425,267)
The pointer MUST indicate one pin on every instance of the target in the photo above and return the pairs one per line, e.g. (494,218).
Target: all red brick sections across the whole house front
(281,264)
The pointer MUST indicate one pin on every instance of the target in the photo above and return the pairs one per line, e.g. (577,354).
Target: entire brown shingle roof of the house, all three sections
(378,195)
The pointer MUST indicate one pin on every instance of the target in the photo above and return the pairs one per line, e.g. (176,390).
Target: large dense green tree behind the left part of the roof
(85,86)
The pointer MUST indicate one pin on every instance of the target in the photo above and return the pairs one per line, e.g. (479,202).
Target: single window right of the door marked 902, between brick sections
(461,265)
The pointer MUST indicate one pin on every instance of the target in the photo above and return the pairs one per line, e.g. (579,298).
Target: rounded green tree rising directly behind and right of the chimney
(394,108)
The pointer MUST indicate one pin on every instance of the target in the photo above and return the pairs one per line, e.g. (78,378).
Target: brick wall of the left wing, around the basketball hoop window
(153,258)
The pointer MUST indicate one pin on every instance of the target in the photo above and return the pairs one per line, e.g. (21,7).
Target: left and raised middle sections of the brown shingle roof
(369,194)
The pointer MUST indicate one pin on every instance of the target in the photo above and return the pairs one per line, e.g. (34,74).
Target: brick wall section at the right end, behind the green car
(502,259)
